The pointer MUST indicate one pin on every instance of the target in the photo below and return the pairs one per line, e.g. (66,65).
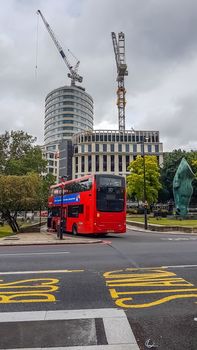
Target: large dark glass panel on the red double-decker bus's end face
(110,193)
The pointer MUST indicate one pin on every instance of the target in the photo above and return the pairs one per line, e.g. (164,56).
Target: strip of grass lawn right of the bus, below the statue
(165,221)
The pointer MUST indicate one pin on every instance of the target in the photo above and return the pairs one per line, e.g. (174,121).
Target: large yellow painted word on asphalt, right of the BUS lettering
(126,284)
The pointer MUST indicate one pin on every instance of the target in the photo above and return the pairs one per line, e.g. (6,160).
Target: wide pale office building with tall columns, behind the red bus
(111,151)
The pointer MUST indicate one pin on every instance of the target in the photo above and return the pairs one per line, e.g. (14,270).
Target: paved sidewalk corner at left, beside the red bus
(46,238)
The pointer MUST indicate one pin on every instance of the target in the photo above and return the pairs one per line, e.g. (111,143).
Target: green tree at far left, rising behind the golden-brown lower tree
(18,155)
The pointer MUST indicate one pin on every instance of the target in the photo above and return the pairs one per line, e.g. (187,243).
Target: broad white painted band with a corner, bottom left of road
(117,328)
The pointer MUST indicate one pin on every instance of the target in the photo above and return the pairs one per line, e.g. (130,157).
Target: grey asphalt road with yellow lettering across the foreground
(152,277)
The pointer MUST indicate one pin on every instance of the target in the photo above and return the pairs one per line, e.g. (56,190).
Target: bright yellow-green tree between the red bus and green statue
(135,181)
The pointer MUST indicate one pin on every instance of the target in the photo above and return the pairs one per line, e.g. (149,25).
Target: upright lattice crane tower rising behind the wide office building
(119,50)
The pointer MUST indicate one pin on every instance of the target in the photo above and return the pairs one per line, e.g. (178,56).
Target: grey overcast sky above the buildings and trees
(161,55)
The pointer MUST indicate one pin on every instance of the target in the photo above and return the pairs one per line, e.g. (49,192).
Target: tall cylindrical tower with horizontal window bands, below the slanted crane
(68,110)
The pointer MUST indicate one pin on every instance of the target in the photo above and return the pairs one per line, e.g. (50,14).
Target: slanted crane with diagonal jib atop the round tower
(72,69)
